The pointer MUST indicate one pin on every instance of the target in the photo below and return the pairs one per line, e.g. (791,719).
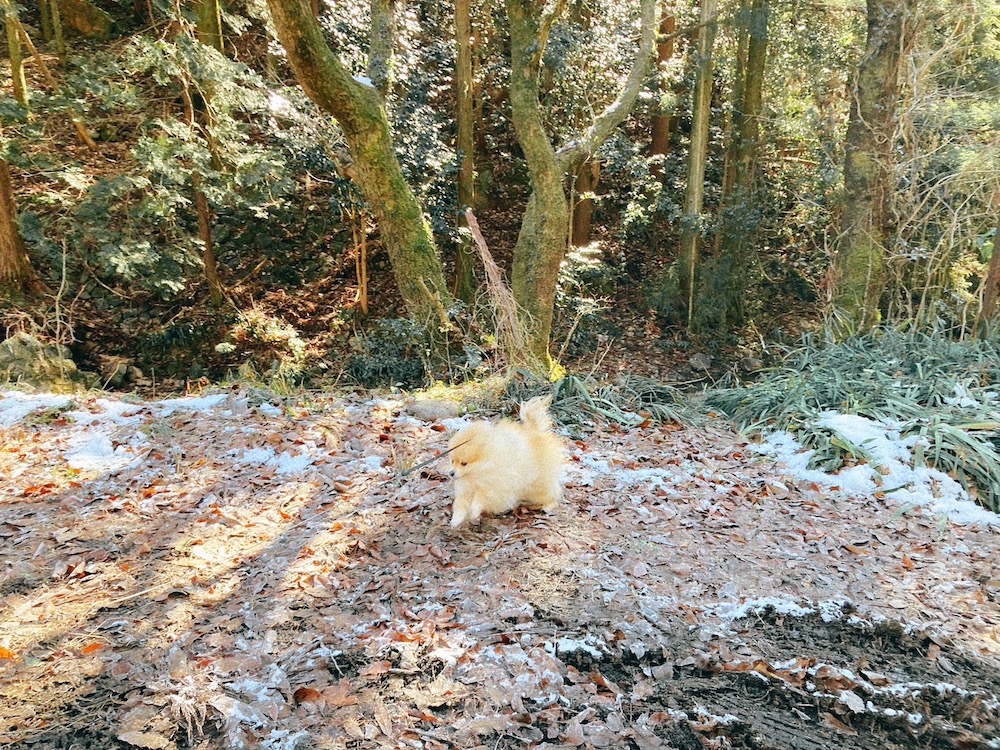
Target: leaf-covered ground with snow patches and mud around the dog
(232,571)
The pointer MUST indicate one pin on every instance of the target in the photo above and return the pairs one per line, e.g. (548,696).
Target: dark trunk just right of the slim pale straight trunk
(723,291)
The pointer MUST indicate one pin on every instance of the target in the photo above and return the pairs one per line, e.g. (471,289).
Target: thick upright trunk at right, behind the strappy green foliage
(859,266)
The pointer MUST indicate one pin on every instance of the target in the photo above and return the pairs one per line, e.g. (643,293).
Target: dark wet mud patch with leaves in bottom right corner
(800,683)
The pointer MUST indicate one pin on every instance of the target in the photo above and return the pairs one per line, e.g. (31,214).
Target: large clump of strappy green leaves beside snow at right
(941,389)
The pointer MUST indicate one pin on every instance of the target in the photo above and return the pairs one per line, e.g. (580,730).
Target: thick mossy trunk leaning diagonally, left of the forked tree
(360,112)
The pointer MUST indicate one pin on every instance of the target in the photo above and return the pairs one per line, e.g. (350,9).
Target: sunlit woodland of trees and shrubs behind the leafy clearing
(192,191)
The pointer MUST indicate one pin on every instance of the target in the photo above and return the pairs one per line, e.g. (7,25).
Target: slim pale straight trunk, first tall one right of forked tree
(690,246)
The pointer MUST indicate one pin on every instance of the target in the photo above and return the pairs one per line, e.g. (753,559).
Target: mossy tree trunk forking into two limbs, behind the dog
(544,236)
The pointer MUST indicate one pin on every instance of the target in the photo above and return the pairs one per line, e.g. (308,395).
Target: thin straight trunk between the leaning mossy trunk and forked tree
(465,269)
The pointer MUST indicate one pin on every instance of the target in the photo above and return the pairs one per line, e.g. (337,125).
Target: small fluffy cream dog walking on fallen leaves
(500,466)
